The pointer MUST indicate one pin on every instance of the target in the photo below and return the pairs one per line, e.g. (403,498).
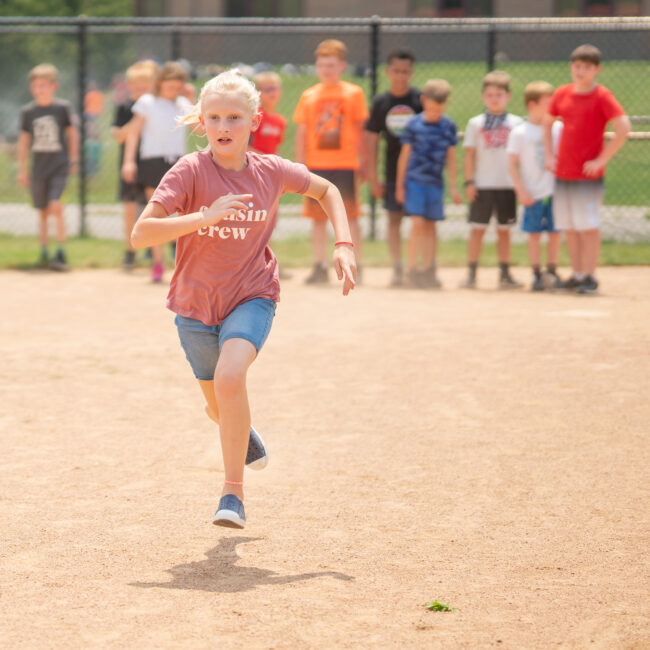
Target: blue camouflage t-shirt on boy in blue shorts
(429,143)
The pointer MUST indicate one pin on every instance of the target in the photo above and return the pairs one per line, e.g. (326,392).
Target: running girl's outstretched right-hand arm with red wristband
(329,197)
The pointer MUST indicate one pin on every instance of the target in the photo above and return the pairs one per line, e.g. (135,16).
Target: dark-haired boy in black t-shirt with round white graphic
(390,113)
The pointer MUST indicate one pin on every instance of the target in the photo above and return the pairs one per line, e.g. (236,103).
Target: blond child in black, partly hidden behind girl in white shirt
(140,79)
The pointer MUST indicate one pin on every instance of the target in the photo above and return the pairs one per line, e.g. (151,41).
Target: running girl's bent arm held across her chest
(153,228)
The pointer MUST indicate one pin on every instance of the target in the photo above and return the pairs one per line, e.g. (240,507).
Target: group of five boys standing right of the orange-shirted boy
(506,158)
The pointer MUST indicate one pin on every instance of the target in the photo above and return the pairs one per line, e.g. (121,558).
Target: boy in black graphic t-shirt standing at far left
(48,129)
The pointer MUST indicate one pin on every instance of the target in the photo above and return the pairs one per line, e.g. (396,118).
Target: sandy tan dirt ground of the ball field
(485,449)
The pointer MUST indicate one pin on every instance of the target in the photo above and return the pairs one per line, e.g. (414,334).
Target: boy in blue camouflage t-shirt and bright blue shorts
(427,148)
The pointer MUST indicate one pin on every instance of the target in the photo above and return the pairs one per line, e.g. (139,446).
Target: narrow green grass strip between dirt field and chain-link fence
(21,252)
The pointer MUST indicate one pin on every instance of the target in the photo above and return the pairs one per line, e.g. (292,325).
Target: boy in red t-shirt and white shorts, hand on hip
(585,108)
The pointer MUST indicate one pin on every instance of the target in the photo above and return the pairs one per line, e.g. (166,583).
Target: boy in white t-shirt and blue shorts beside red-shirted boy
(534,184)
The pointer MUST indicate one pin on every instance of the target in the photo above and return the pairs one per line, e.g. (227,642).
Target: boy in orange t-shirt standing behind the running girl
(330,118)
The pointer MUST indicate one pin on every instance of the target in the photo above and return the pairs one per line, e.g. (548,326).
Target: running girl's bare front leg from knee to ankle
(233,410)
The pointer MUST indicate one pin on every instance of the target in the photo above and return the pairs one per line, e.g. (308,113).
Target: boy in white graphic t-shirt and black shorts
(488,185)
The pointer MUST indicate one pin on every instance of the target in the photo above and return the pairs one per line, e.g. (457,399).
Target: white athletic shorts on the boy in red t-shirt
(576,204)
